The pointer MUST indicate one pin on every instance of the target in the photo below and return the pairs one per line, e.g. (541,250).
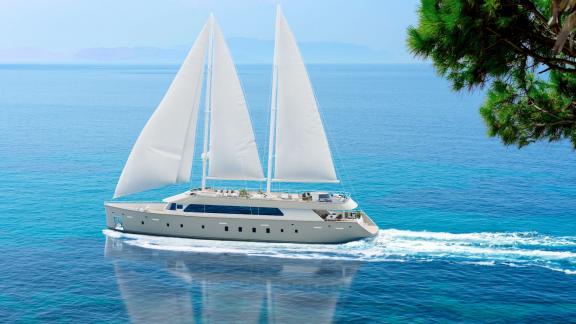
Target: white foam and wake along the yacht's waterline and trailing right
(486,249)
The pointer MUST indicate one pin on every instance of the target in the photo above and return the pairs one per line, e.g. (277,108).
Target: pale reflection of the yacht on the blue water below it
(161,286)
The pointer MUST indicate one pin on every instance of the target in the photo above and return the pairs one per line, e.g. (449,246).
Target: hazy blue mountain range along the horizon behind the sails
(244,51)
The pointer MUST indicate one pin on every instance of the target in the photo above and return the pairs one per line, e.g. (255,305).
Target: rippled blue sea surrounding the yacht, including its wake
(471,230)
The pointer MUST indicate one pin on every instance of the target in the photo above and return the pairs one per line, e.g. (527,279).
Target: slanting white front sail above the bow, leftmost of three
(163,152)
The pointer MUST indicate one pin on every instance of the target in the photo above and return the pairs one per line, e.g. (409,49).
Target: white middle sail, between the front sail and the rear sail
(233,154)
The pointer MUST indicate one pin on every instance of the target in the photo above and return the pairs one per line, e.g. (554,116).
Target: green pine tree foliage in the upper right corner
(522,50)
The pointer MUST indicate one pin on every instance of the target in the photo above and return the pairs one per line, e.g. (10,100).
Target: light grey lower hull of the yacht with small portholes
(150,219)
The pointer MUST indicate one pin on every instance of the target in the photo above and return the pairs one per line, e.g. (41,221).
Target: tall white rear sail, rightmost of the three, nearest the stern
(301,152)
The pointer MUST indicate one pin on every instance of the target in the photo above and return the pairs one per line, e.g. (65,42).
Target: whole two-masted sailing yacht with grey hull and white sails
(298,152)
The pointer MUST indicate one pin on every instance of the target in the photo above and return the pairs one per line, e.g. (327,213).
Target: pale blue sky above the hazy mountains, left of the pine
(50,28)
